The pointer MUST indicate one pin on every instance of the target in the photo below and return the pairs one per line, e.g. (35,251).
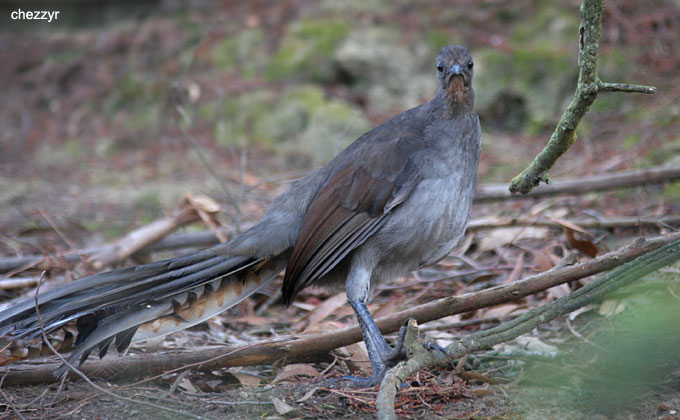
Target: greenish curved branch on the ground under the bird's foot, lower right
(622,276)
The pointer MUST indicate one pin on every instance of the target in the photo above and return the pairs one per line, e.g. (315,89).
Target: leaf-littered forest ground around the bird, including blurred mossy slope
(108,127)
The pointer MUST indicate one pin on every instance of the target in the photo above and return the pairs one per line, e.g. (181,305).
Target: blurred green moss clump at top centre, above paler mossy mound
(306,50)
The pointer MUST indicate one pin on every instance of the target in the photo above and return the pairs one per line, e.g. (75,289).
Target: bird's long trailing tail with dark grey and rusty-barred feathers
(134,304)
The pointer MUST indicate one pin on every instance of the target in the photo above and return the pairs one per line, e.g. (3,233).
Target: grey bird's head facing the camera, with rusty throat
(454,72)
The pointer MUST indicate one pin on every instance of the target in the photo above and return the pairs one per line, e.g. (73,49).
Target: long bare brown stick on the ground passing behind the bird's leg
(315,347)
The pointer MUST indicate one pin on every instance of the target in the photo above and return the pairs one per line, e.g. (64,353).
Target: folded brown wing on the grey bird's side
(348,209)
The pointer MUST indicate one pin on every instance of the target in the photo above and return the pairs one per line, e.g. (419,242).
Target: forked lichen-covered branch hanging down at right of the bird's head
(589,85)
